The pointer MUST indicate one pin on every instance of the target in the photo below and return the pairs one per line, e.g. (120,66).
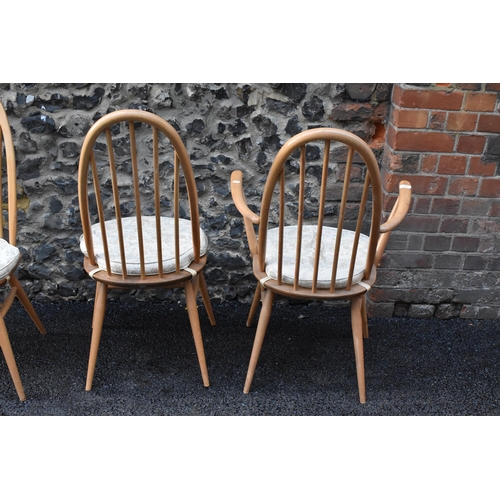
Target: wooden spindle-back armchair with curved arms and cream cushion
(311,229)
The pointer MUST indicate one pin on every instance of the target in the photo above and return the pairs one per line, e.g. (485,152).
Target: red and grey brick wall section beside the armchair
(444,260)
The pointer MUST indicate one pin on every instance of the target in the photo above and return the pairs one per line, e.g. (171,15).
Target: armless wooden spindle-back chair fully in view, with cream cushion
(140,221)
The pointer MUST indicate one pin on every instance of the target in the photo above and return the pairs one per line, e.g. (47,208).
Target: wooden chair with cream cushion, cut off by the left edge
(10,256)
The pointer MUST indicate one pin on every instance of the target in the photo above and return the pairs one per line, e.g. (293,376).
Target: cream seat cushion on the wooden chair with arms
(329,235)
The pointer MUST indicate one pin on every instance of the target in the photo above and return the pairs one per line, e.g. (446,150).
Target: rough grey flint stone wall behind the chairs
(224,127)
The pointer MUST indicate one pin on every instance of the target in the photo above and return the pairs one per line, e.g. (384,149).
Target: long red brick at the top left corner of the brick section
(428,99)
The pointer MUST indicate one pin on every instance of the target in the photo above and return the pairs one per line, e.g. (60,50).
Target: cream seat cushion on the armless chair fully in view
(129,227)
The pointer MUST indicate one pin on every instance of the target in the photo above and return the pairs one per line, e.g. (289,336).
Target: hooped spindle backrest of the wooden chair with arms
(276,174)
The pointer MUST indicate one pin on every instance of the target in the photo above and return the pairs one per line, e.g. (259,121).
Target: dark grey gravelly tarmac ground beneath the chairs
(147,363)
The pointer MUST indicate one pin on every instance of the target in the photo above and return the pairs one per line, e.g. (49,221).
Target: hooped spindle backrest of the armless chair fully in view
(181,157)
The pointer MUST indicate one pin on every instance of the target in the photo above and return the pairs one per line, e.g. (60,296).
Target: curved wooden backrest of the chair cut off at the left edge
(7,144)
